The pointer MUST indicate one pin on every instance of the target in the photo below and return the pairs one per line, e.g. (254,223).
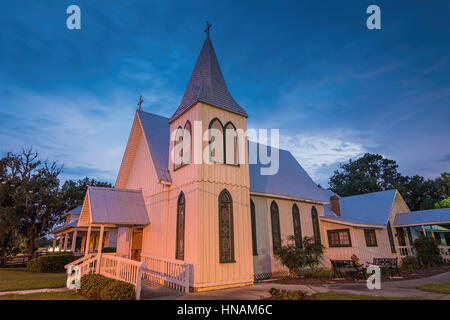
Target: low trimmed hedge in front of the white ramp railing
(97,287)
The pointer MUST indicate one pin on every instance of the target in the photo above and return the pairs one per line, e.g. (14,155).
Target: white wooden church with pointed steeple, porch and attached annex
(223,219)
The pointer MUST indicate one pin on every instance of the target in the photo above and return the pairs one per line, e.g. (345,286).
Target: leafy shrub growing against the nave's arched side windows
(295,258)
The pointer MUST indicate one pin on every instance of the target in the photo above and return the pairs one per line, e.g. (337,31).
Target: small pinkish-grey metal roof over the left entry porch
(116,206)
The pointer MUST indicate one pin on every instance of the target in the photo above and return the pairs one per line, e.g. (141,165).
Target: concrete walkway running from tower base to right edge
(404,288)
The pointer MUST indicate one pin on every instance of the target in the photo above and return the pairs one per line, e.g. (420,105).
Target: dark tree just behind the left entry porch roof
(73,192)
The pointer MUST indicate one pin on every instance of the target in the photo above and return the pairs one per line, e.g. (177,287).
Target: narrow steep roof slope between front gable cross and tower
(157,133)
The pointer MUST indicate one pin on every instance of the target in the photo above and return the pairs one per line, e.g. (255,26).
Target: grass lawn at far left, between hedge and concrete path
(13,279)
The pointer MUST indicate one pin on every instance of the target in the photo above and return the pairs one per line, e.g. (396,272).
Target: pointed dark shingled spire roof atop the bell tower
(208,85)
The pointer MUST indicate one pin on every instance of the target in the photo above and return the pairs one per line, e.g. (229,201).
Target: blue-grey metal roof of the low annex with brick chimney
(370,208)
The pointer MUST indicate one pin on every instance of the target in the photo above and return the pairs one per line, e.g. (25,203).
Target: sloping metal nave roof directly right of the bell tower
(291,179)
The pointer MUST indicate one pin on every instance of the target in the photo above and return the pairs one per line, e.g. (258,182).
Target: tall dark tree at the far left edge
(33,192)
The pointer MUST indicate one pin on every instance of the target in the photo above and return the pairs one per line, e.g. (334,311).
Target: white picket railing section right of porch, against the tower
(169,273)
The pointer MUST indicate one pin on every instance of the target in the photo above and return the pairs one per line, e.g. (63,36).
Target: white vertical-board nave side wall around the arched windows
(265,264)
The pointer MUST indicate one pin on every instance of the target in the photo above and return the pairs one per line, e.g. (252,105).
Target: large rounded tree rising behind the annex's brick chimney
(369,173)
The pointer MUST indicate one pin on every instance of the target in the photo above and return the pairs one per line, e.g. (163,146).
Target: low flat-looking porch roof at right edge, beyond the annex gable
(423,217)
